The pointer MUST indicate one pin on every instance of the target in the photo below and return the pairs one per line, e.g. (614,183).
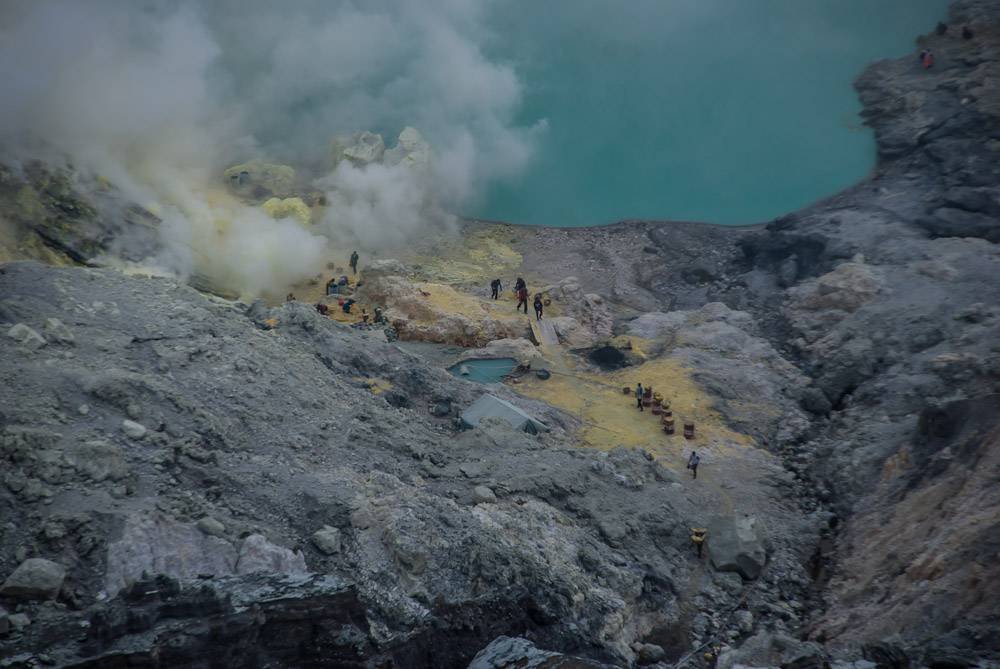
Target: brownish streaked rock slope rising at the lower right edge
(918,545)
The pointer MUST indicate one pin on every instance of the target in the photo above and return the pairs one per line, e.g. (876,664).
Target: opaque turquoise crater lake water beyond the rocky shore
(724,111)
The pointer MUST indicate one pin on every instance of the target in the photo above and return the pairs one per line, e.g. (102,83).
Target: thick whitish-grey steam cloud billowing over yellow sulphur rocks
(161,97)
